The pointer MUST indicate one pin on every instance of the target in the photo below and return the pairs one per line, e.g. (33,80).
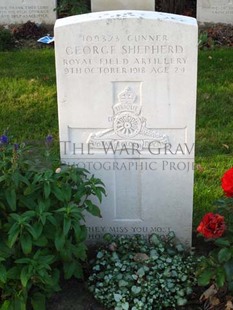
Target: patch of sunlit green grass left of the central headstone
(28,94)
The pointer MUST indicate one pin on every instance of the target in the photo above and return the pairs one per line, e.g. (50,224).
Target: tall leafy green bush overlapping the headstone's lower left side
(42,223)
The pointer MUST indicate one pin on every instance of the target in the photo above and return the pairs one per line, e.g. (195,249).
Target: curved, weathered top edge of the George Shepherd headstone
(125,14)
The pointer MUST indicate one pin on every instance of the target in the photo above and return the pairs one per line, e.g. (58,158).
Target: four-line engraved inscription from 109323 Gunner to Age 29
(131,54)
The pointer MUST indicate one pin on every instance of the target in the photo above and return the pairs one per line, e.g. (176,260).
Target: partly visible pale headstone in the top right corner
(215,11)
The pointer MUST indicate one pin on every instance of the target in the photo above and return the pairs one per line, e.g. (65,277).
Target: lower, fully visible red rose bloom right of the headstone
(212,226)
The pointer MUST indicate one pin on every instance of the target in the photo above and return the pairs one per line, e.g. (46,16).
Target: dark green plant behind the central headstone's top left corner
(72,7)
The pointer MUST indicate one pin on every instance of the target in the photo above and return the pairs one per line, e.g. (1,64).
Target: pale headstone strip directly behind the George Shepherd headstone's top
(107,5)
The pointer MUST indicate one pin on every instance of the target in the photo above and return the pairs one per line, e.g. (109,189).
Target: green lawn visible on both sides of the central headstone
(28,108)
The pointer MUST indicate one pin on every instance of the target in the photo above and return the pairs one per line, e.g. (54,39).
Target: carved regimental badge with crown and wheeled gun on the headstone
(129,126)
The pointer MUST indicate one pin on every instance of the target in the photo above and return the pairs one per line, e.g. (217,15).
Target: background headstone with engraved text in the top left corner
(21,11)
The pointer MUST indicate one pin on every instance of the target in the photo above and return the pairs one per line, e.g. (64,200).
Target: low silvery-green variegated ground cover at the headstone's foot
(132,273)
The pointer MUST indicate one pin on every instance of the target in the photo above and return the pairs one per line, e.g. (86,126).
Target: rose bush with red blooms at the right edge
(217,227)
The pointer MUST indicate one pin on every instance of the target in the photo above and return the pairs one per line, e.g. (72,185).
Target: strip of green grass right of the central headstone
(214,127)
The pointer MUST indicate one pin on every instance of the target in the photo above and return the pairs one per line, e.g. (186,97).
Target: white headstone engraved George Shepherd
(126,83)
